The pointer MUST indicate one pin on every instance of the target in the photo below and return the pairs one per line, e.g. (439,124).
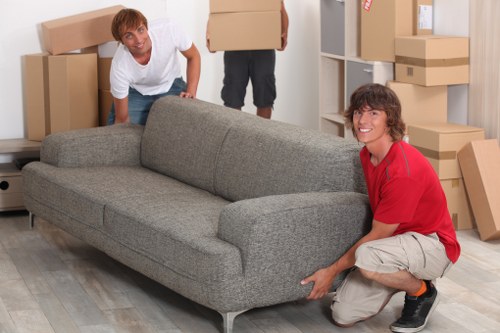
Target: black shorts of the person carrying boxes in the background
(256,65)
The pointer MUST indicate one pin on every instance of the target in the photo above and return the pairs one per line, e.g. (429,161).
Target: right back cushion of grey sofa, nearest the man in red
(261,157)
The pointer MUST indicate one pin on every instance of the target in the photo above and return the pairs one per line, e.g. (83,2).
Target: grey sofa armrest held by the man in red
(285,238)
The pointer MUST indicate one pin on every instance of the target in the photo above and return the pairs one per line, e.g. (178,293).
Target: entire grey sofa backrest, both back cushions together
(240,156)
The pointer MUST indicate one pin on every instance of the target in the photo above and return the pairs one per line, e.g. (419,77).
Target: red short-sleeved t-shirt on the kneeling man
(405,189)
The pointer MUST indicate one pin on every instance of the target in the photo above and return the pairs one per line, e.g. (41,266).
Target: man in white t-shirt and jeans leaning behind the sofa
(145,66)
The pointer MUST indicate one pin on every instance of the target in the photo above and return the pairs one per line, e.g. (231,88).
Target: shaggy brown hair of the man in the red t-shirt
(377,97)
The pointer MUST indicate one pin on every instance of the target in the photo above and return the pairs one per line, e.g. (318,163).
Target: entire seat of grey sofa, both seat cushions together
(157,216)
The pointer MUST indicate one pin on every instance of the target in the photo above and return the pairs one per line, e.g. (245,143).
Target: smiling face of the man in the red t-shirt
(370,126)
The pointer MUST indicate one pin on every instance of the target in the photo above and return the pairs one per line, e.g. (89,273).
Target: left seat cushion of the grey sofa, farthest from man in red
(82,193)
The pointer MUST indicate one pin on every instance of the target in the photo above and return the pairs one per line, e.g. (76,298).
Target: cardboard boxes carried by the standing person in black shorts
(244,25)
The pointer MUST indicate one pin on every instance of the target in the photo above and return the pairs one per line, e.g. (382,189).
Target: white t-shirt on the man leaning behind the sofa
(163,68)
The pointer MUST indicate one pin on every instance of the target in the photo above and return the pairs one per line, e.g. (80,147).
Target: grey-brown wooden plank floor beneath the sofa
(52,282)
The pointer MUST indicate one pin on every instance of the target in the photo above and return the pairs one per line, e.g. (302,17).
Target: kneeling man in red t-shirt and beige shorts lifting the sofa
(412,240)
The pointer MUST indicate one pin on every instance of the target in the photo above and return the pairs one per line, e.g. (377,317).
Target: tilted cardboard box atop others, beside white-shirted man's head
(79,31)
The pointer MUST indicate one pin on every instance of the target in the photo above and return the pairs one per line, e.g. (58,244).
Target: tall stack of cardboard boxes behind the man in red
(400,31)
